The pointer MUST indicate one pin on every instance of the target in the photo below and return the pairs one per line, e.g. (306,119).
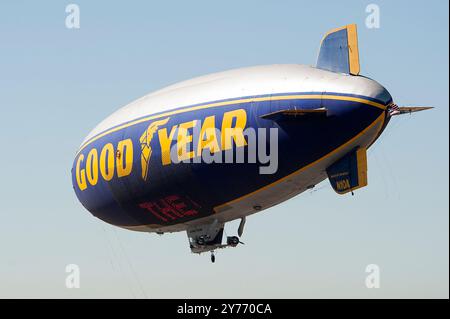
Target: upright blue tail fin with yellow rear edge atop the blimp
(339,51)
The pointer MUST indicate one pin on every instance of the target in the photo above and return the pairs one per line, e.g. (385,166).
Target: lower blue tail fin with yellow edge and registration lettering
(350,172)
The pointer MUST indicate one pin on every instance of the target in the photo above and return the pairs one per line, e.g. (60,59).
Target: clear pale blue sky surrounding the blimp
(56,84)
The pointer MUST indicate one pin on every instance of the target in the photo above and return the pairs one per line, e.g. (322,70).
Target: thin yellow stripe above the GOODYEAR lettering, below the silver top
(217,104)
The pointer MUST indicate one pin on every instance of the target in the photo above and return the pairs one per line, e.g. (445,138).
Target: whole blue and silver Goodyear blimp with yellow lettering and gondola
(203,152)
